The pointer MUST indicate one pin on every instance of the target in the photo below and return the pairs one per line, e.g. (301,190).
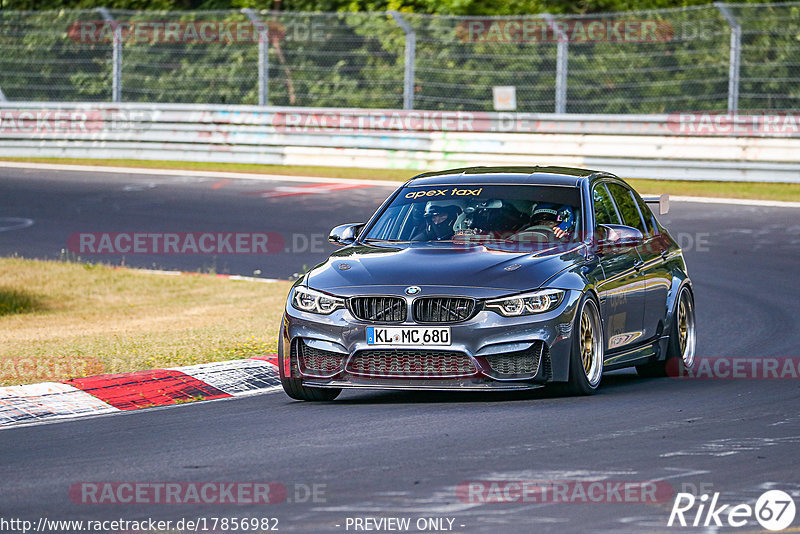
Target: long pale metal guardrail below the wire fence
(682,146)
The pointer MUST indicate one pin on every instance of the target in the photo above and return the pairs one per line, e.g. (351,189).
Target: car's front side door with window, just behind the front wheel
(622,289)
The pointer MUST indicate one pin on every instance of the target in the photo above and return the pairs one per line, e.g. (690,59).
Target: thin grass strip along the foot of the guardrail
(758,191)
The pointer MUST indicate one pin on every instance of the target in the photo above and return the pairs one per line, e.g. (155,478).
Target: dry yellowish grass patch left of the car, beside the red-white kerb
(67,320)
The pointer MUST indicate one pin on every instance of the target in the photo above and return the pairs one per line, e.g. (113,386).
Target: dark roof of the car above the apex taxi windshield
(506,175)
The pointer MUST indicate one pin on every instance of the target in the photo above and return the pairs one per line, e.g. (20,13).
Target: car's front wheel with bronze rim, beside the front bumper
(586,356)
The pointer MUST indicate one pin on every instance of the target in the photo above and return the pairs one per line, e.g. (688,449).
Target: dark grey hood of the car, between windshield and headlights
(439,268)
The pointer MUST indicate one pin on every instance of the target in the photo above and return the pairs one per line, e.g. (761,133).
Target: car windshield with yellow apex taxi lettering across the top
(468,212)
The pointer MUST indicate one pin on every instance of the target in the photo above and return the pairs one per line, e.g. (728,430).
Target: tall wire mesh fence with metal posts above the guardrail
(734,57)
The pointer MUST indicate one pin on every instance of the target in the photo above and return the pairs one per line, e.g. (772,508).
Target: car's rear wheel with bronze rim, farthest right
(681,345)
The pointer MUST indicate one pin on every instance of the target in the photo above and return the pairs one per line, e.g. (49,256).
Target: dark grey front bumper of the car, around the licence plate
(484,340)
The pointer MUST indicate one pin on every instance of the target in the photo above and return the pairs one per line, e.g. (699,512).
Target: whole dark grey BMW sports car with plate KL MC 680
(486,279)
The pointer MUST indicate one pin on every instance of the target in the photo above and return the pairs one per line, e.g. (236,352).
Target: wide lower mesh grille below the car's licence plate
(411,364)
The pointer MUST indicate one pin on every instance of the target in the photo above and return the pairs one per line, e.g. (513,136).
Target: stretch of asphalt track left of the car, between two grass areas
(66,203)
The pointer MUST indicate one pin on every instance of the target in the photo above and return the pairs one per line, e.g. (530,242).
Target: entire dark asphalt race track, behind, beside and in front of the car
(402,455)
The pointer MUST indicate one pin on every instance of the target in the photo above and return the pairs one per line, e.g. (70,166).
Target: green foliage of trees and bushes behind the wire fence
(353,58)
